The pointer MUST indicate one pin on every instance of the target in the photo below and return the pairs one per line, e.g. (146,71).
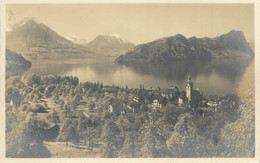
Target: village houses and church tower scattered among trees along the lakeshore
(183,98)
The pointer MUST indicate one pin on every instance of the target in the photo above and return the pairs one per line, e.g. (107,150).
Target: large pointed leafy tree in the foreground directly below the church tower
(186,142)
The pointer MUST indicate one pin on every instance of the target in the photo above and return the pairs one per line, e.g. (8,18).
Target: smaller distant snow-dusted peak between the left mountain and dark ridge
(111,45)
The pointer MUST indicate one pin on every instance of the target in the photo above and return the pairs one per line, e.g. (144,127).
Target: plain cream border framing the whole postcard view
(151,160)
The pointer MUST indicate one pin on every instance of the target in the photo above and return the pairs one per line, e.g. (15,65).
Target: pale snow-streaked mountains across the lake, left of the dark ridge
(33,39)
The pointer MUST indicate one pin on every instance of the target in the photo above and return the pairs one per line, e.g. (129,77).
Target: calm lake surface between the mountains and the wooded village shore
(212,77)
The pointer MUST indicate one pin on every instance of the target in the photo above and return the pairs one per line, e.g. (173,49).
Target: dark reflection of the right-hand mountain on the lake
(231,69)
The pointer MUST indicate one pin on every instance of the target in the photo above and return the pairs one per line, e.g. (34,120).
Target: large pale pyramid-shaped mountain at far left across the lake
(31,38)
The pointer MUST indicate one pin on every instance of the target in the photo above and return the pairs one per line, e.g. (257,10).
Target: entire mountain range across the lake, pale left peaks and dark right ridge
(33,39)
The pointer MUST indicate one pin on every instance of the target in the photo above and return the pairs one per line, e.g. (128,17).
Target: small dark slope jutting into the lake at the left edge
(15,63)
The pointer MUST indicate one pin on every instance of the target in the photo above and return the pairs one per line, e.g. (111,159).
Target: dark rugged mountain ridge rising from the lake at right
(232,44)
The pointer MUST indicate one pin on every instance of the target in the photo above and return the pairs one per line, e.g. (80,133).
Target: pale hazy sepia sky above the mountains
(139,23)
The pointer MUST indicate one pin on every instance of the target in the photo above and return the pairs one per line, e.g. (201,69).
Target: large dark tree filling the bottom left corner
(27,140)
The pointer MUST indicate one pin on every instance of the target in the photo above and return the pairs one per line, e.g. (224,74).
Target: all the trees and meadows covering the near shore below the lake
(105,121)
